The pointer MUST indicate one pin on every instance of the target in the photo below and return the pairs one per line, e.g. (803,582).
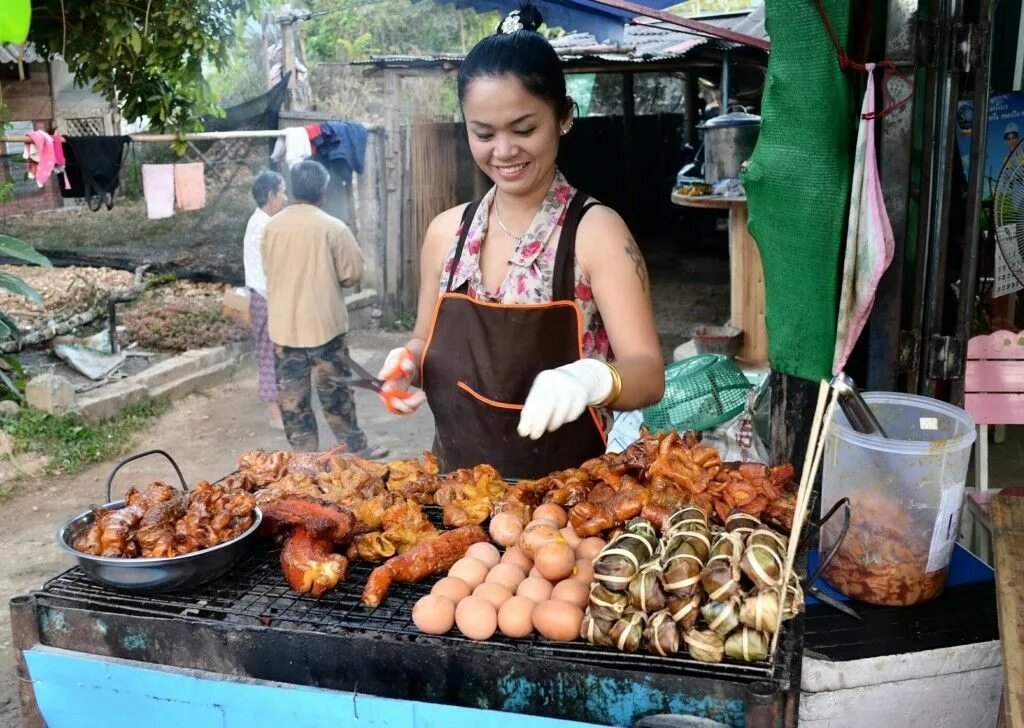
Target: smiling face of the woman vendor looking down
(514,135)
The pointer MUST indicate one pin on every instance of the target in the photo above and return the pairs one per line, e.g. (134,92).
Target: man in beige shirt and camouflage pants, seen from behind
(310,256)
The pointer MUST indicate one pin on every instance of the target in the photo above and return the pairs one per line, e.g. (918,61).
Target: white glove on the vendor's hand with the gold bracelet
(561,396)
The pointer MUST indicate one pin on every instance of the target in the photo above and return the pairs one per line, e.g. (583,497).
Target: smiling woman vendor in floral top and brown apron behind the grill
(535,317)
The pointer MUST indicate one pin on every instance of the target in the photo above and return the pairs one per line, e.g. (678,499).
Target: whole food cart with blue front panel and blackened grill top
(245,651)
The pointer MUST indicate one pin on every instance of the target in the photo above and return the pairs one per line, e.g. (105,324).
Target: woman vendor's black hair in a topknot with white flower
(518,50)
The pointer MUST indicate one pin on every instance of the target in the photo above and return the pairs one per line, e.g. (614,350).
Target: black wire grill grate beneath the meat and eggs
(255,594)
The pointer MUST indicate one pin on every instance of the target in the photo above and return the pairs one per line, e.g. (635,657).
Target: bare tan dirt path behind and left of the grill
(205,434)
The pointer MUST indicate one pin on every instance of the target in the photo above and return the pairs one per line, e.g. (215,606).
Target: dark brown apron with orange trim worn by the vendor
(483,358)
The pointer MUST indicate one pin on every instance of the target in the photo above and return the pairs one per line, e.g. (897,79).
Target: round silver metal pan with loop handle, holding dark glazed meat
(149,575)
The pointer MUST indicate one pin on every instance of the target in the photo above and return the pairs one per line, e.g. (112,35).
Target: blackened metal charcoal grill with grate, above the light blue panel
(250,624)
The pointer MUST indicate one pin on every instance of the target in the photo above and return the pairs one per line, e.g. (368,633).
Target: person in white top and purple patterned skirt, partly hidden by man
(271,196)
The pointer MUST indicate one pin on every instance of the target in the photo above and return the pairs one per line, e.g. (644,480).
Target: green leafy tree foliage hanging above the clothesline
(146,56)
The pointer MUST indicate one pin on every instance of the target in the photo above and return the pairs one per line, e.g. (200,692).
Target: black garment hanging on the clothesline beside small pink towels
(94,165)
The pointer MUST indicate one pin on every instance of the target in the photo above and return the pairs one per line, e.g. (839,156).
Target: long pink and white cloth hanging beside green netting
(869,240)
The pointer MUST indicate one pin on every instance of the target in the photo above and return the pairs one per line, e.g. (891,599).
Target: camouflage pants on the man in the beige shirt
(295,367)
